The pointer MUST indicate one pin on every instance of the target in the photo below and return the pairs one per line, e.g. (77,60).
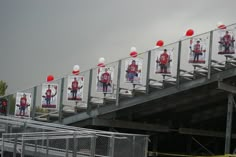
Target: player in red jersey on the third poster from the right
(163,61)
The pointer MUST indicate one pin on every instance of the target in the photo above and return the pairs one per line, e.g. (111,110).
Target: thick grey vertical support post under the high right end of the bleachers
(229,123)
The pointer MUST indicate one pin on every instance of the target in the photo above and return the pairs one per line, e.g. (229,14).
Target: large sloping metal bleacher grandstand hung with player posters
(189,110)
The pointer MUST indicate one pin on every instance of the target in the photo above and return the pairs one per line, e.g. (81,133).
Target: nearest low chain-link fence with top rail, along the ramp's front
(73,144)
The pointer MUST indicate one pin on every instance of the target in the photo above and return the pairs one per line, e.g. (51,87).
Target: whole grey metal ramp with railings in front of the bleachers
(32,138)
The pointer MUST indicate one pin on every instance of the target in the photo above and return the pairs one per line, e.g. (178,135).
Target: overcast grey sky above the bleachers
(42,37)
